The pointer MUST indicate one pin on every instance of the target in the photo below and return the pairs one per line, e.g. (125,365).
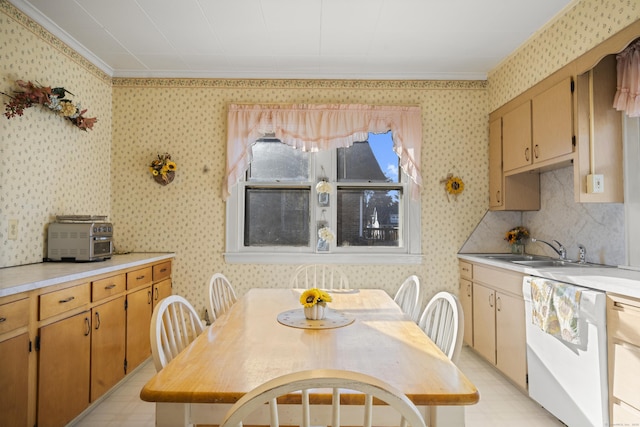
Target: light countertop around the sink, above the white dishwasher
(608,279)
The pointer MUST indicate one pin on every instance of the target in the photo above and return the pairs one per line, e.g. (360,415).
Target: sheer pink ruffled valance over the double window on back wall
(321,127)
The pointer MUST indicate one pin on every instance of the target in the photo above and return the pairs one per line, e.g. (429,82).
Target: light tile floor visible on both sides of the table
(501,404)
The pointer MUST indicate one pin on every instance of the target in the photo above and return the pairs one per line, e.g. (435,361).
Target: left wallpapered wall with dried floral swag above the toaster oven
(48,166)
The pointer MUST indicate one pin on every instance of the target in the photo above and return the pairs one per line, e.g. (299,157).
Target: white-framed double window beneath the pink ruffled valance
(275,211)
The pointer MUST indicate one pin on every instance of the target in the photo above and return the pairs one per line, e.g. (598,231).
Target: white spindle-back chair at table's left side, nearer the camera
(174,324)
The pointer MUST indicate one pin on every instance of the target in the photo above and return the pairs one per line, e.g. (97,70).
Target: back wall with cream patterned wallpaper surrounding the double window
(187,118)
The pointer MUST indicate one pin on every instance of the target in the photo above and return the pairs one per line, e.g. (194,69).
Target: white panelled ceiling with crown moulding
(332,39)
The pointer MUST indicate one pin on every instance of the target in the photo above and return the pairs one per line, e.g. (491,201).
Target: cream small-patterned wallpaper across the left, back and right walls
(49,167)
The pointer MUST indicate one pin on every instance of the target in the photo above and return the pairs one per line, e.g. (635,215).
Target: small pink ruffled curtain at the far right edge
(627,97)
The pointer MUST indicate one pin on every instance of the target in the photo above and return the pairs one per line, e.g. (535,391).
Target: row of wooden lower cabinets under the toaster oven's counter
(64,346)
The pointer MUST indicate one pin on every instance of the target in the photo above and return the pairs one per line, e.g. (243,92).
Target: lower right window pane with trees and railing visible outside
(368,217)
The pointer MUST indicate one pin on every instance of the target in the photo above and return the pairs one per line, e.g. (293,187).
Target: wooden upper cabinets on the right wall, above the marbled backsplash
(566,119)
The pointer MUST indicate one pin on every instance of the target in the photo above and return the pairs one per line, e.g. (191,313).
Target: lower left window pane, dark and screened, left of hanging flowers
(276,217)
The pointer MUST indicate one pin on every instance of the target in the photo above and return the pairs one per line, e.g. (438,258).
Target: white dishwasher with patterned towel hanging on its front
(569,378)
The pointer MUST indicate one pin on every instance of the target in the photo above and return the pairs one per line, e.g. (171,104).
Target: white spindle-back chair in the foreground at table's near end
(334,380)
